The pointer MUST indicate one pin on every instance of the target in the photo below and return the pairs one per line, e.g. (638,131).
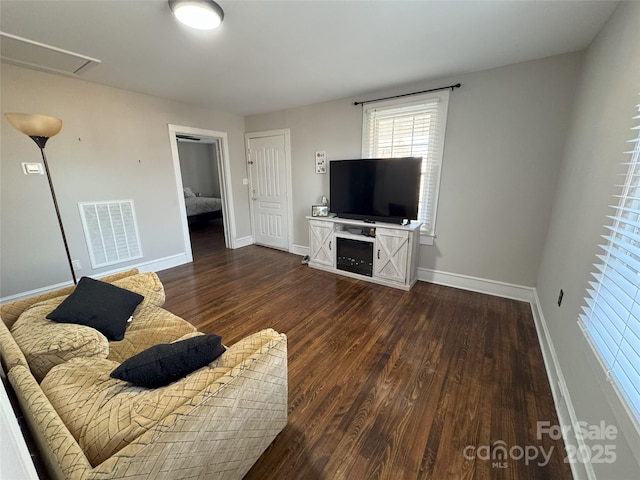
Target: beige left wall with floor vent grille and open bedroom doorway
(114,144)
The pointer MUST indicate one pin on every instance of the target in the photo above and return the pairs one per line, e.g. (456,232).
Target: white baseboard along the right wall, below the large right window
(561,396)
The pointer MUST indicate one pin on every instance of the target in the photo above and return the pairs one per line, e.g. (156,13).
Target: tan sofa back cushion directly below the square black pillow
(46,344)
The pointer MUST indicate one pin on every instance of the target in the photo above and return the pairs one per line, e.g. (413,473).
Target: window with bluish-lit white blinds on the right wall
(611,318)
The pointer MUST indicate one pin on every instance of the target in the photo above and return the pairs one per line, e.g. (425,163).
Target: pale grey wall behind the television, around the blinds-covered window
(505,133)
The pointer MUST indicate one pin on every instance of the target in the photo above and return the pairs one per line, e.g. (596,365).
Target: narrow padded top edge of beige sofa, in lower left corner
(61,453)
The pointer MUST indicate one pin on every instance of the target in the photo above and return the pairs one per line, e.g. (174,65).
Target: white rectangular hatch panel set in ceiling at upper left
(40,56)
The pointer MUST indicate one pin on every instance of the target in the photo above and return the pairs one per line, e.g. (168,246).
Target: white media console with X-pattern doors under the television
(381,253)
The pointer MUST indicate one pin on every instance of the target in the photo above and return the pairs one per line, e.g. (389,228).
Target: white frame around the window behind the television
(442,98)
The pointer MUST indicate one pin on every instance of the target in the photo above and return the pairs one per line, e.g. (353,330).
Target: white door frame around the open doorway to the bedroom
(226,194)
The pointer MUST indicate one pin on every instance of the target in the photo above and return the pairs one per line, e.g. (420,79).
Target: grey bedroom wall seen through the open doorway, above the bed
(199,167)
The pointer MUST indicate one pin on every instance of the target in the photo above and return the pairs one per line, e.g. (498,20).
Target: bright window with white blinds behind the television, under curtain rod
(411,128)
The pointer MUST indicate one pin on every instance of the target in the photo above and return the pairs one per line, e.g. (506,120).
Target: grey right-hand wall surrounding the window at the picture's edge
(606,101)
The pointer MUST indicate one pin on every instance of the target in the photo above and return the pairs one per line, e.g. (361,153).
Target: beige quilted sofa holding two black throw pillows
(214,423)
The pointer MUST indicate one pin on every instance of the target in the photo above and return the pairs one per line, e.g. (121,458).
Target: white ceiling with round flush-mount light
(271,55)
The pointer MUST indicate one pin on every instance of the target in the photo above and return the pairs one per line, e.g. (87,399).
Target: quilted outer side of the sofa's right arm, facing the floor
(220,432)
